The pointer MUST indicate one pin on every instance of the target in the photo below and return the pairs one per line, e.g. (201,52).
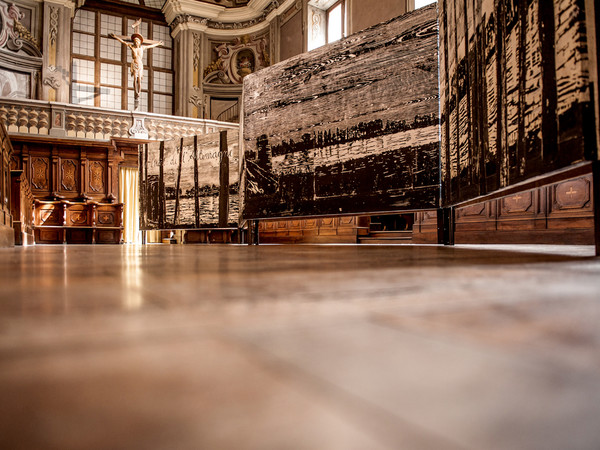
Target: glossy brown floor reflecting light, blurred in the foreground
(299,347)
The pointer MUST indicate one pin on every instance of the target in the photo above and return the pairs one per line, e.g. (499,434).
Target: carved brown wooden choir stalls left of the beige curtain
(75,185)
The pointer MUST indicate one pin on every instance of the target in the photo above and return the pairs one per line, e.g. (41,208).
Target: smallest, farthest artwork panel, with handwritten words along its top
(191,182)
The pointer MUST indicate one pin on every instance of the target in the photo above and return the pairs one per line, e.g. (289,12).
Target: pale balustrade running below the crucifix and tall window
(65,120)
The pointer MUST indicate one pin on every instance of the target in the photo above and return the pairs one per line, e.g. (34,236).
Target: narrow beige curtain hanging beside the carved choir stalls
(129,195)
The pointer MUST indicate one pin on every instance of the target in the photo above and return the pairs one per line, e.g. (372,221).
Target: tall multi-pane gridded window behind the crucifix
(100,75)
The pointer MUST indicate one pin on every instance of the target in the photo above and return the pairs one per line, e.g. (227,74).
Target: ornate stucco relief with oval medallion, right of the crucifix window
(237,59)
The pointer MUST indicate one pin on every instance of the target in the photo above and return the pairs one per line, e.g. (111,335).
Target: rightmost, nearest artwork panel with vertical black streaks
(515,92)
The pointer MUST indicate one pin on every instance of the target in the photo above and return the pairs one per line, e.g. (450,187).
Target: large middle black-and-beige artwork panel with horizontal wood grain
(349,127)
